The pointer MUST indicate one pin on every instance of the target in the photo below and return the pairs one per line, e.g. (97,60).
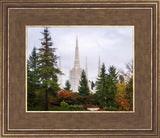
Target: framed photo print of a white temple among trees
(80,68)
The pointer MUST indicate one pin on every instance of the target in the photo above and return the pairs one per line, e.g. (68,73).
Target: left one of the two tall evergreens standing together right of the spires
(101,87)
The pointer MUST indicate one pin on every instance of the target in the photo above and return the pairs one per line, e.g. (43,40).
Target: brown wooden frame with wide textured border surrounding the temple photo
(15,121)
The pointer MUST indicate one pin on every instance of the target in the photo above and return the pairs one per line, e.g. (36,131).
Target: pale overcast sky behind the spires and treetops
(114,46)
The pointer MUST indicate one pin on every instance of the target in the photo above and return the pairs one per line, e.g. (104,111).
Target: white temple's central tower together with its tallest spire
(75,72)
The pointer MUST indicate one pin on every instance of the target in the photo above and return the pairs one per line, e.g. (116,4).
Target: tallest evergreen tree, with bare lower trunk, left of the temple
(47,66)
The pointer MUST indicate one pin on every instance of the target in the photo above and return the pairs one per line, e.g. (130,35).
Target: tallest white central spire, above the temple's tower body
(76,60)
